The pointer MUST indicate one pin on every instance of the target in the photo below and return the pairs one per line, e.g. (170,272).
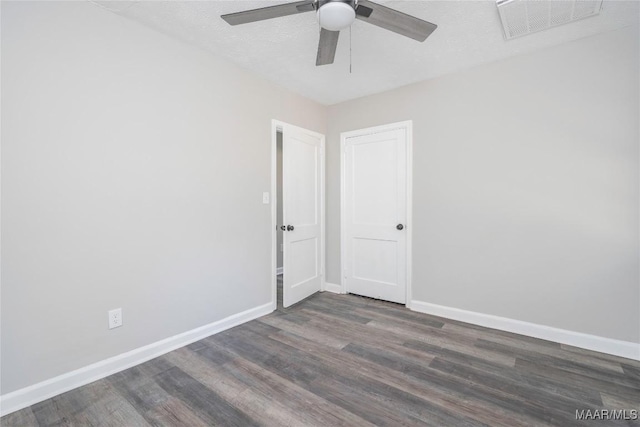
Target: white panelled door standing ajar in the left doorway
(303,198)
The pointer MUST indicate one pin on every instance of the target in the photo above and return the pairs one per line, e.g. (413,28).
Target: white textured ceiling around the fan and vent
(283,50)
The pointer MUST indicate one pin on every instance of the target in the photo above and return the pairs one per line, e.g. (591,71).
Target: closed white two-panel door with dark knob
(375,213)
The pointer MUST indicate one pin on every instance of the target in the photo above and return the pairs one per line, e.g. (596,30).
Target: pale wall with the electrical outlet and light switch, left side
(133,168)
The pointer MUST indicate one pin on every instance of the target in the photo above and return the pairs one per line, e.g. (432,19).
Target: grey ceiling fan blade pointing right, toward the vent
(395,21)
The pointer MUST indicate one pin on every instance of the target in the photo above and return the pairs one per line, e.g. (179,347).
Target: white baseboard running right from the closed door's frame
(577,339)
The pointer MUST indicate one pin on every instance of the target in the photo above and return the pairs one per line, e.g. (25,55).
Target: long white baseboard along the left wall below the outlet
(30,395)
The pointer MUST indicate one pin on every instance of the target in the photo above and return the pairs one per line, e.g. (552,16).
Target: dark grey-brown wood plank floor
(336,360)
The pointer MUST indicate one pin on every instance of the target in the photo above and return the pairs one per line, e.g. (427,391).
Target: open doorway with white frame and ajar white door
(297,212)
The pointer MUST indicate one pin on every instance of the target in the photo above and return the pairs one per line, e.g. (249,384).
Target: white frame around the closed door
(408,127)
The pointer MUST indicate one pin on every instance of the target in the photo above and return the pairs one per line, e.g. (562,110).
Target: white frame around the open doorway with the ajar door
(277,126)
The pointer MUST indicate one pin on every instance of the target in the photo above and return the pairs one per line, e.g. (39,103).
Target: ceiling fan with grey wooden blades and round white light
(336,15)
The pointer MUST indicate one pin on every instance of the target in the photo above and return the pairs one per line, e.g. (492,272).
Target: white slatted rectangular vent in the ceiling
(522,17)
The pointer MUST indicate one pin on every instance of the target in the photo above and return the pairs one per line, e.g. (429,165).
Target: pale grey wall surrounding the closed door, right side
(525,185)
